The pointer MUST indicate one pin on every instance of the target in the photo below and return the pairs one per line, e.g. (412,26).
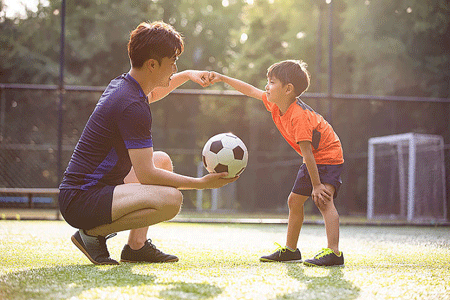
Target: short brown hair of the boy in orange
(291,71)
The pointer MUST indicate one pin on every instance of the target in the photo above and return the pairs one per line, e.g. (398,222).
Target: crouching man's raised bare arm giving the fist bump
(200,77)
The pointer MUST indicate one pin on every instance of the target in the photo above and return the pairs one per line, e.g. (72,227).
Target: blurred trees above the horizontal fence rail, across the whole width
(382,47)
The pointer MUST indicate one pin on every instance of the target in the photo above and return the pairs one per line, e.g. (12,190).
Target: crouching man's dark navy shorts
(86,209)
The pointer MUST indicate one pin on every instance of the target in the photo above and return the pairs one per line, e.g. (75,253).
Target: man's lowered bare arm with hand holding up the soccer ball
(147,173)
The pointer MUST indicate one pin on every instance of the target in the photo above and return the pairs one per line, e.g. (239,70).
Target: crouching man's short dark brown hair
(153,40)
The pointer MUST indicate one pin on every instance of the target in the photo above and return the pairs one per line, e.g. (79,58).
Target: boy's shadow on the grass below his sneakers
(332,285)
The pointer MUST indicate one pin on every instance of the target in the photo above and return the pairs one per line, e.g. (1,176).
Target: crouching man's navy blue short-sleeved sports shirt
(121,120)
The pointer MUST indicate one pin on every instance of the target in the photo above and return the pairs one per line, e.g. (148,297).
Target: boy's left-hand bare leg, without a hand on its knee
(296,215)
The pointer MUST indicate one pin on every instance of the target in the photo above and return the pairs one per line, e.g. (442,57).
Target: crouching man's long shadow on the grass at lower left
(65,282)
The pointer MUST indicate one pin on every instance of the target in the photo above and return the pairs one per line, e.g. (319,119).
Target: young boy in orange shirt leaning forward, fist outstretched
(315,140)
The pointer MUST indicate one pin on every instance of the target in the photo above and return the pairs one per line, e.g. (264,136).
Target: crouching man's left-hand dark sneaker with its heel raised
(94,247)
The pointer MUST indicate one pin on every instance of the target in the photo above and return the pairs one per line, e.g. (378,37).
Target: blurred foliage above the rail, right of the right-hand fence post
(396,47)
